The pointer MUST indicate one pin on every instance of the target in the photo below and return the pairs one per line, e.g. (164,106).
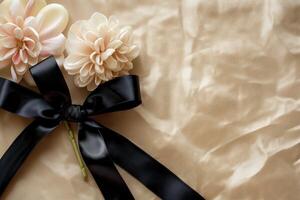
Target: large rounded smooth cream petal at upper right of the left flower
(52,20)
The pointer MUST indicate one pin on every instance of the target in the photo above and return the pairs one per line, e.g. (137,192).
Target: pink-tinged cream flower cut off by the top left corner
(30,30)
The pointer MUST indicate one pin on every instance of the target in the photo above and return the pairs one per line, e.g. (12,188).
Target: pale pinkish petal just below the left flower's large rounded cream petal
(54,46)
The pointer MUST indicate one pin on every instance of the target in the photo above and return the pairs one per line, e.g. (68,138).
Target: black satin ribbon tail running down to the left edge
(20,149)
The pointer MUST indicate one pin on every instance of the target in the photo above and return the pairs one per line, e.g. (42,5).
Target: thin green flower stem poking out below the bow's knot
(76,150)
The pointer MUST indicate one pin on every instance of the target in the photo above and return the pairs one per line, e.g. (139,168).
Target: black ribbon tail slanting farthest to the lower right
(156,177)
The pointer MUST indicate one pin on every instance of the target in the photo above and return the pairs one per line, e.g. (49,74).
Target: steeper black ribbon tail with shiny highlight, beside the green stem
(95,154)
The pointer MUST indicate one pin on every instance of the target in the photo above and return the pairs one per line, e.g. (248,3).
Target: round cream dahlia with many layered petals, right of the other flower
(99,50)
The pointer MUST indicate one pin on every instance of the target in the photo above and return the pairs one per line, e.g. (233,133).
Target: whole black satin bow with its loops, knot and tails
(101,148)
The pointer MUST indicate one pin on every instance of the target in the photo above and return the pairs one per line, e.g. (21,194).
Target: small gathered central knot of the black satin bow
(74,113)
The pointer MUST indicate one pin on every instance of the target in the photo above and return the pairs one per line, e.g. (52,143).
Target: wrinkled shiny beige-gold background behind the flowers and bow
(220,83)
